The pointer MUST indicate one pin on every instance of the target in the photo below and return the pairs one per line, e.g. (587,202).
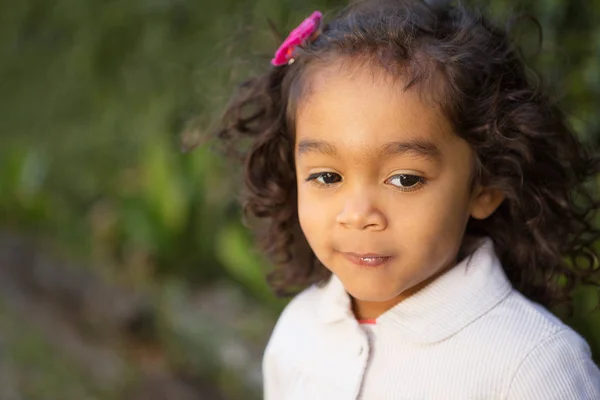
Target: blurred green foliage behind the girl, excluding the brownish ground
(99,97)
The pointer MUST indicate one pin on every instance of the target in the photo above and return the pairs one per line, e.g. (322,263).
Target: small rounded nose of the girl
(360,212)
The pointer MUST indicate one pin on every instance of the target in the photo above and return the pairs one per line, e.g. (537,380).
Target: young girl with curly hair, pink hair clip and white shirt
(430,197)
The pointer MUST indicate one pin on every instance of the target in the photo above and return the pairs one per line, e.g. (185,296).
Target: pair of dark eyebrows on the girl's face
(419,148)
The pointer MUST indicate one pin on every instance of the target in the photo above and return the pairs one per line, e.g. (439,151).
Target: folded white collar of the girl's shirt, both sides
(442,308)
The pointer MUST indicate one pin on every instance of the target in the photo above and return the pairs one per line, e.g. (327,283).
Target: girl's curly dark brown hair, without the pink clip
(543,231)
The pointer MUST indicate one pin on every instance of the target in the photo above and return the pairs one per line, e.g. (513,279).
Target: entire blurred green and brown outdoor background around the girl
(125,272)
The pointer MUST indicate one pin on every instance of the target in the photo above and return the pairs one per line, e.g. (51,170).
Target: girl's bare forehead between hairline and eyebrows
(358,106)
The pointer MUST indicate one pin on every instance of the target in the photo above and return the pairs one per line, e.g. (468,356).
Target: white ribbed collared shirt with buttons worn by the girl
(467,335)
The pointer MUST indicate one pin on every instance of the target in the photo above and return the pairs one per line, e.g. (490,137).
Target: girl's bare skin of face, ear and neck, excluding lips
(357,131)
